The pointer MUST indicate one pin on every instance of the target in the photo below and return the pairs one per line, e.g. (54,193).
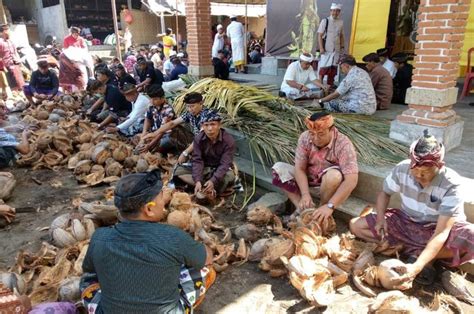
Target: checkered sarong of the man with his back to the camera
(193,284)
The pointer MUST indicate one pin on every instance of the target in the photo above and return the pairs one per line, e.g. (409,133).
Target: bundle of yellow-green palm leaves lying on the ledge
(273,125)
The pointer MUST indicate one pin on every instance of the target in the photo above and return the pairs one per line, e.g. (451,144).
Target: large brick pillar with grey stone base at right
(430,100)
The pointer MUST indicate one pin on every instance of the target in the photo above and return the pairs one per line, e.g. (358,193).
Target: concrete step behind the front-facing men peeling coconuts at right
(370,183)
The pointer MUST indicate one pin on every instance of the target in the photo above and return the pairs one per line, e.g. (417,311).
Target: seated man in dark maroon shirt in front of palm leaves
(212,160)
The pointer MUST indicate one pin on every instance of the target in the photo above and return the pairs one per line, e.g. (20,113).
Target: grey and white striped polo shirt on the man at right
(441,198)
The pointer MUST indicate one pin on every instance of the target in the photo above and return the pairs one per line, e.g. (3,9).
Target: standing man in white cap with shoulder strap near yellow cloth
(331,43)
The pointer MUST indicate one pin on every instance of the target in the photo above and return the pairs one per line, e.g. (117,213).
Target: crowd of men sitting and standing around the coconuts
(127,269)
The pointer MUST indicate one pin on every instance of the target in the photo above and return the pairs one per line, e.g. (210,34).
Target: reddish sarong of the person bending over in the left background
(71,77)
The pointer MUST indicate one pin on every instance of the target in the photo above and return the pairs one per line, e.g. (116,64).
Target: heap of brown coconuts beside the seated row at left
(64,138)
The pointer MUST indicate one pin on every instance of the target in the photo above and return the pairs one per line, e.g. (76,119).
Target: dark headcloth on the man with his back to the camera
(135,190)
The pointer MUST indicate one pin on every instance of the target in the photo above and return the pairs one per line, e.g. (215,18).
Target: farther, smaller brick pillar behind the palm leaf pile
(198,25)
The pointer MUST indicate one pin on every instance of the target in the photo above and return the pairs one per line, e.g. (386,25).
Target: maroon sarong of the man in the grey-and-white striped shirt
(415,235)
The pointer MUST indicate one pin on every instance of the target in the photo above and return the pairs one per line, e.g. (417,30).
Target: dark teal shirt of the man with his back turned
(138,265)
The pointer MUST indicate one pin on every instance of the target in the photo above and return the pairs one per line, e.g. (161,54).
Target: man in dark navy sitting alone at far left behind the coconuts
(44,83)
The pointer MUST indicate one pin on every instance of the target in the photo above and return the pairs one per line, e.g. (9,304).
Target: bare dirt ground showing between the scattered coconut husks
(242,289)
